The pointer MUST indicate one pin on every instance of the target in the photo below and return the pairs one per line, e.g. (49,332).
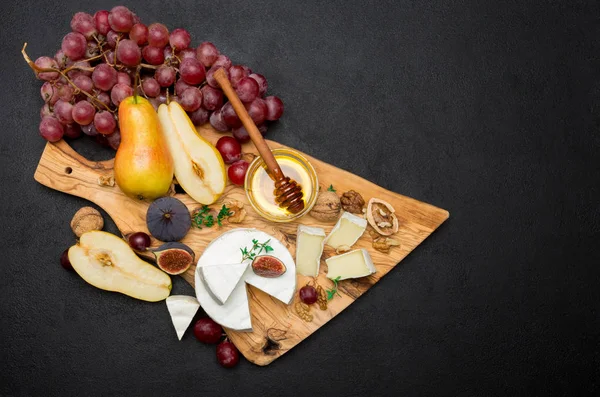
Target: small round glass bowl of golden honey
(260,187)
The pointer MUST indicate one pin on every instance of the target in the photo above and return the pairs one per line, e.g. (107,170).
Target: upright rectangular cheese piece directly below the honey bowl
(309,248)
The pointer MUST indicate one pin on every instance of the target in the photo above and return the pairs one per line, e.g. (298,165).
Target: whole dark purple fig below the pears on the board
(168,219)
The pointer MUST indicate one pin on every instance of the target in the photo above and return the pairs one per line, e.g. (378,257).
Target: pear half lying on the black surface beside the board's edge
(107,262)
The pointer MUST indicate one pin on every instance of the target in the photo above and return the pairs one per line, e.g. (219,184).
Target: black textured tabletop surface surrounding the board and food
(489,109)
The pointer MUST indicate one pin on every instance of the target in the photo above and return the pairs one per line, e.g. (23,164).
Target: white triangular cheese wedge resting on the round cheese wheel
(220,280)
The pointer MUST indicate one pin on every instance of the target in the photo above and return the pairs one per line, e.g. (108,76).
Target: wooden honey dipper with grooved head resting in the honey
(288,193)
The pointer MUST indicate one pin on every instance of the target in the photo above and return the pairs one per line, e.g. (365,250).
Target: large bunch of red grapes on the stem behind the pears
(107,55)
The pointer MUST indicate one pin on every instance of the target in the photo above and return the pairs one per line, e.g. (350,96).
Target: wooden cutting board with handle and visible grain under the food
(277,327)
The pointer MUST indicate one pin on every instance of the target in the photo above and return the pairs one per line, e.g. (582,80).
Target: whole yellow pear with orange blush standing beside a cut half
(143,165)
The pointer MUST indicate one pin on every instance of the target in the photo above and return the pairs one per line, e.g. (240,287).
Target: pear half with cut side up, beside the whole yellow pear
(199,167)
